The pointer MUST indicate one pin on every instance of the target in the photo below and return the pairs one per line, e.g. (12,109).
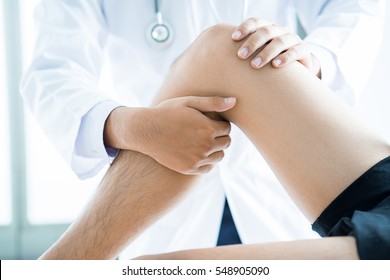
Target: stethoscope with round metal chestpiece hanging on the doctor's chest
(159,33)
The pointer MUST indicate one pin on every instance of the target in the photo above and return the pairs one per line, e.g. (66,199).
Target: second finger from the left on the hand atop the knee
(263,36)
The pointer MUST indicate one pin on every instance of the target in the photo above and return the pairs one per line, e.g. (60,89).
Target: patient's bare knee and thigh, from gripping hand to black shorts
(315,144)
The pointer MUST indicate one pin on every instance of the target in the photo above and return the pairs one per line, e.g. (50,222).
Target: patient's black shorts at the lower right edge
(362,211)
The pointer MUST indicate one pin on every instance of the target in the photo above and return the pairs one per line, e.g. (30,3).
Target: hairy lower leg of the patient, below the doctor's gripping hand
(135,191)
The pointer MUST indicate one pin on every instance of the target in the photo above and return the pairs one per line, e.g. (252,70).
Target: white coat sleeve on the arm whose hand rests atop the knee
(345,36)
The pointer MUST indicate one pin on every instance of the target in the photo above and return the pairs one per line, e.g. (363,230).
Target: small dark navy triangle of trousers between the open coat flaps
(228,234)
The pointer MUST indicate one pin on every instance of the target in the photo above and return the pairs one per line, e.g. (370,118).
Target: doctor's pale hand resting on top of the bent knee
(275,43)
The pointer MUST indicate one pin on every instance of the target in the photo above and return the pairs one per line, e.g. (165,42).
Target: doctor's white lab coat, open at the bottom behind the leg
(61,88)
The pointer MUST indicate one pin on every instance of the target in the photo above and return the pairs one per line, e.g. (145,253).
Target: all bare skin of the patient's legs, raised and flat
(315,144)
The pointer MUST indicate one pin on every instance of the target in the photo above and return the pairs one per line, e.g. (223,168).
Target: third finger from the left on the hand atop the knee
(276,48)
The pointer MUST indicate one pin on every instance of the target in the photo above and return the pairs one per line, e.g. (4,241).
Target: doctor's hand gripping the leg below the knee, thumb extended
(176,133)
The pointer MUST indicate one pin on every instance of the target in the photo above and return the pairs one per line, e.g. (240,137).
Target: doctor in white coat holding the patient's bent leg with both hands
(140,40)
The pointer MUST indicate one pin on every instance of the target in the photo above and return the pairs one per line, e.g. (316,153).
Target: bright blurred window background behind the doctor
(39,194)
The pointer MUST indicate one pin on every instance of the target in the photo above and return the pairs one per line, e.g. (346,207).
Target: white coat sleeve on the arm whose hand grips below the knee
(61,84)
